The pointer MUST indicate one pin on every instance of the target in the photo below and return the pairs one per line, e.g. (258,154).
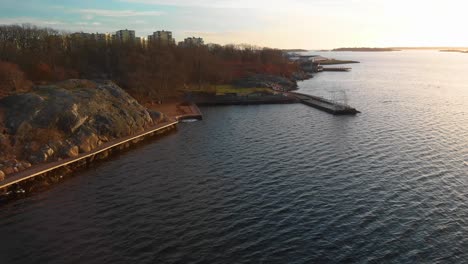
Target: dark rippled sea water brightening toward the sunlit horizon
(278,183)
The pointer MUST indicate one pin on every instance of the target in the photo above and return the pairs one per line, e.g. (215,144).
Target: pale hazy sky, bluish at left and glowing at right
(279,24)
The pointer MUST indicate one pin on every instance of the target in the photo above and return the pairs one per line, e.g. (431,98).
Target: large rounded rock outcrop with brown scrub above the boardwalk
(65,119)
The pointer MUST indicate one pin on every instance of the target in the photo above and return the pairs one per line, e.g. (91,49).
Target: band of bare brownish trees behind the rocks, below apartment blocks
(31,55)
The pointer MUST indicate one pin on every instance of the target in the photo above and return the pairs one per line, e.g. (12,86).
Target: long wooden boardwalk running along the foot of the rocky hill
(44,174)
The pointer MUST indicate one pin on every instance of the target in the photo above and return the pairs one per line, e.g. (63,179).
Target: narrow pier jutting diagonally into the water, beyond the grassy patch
(326,105)
